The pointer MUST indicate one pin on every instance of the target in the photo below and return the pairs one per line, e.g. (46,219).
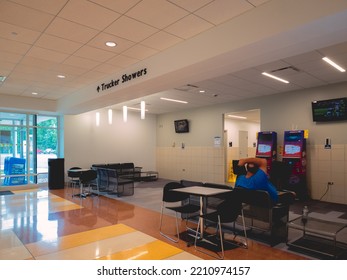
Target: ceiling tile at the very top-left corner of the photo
(24,17)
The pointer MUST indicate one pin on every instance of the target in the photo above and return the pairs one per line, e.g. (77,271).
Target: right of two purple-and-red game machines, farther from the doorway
(294,155)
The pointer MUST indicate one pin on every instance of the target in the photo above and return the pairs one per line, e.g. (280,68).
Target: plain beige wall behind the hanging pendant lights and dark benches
(131,141)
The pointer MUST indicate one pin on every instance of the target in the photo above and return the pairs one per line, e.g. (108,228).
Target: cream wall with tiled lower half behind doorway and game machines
(280,112)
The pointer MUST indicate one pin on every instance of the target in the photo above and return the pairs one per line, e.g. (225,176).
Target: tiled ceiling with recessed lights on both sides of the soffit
(41,39)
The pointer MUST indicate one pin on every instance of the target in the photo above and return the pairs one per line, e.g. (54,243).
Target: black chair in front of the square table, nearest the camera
(227,212)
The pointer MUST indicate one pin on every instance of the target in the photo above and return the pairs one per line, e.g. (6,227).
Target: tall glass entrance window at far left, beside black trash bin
(27,141)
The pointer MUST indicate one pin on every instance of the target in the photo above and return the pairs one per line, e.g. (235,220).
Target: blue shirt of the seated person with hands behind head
(259,181)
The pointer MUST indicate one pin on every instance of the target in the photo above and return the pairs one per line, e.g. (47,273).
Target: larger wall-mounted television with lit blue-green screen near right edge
(329,110)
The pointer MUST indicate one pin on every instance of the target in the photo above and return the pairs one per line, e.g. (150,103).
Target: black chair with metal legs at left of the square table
(179,203)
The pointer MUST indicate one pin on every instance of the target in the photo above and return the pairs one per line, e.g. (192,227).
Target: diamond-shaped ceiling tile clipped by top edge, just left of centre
(156,13)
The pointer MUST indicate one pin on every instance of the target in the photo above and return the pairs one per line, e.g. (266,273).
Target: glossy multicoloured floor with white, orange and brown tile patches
(51,224)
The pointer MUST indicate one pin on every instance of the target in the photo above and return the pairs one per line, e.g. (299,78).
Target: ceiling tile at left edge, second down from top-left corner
(17,33)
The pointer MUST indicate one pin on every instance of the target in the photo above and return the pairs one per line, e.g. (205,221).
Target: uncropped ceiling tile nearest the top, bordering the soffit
(188,27)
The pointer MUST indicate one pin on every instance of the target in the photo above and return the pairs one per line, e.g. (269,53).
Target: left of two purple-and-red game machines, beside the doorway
(267,147)
